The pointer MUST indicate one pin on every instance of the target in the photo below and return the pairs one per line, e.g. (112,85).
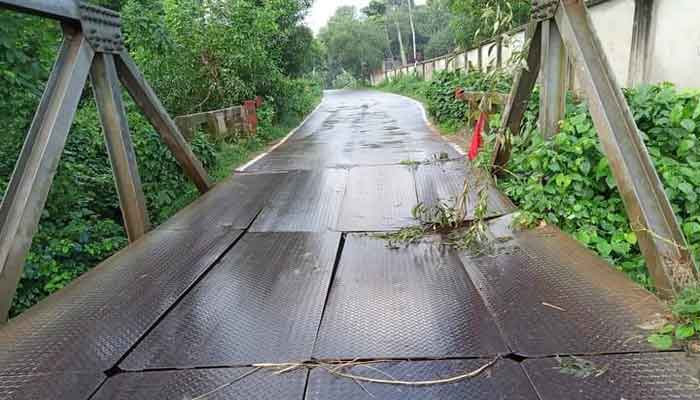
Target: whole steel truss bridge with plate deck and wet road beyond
(279,267)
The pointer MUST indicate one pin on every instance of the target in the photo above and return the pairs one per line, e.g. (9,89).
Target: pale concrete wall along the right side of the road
(674,48)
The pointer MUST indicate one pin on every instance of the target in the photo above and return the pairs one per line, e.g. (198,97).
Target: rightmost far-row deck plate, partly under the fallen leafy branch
(444,182)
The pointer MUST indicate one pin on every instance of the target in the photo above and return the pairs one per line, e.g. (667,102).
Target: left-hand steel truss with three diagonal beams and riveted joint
(106,63)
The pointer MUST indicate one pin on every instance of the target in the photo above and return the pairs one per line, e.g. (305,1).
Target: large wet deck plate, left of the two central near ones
(261,303)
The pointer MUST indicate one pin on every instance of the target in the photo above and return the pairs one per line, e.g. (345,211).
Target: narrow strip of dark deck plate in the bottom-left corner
(50,386)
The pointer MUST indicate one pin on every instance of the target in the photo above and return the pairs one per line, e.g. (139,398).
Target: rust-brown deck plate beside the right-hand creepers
(550,296)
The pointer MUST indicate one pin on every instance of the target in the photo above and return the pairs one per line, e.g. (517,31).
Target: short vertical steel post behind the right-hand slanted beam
(554,79)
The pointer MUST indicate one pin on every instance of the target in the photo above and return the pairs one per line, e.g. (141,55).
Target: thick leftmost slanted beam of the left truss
(31,180)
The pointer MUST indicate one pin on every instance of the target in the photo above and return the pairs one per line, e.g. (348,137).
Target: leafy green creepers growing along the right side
(567,181)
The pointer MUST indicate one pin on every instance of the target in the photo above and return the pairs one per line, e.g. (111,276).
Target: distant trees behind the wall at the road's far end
(403,32)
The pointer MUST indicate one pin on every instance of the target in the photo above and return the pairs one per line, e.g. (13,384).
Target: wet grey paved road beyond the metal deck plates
(358,128)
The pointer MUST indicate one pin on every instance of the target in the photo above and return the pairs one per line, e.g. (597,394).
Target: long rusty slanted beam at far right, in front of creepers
(662,242)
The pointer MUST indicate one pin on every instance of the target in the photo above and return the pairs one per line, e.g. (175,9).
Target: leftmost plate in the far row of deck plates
(232,204)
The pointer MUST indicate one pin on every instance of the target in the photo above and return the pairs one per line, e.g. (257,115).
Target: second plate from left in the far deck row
(307,201)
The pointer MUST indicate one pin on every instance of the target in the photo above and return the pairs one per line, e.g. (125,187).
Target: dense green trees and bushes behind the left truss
(198,56)
